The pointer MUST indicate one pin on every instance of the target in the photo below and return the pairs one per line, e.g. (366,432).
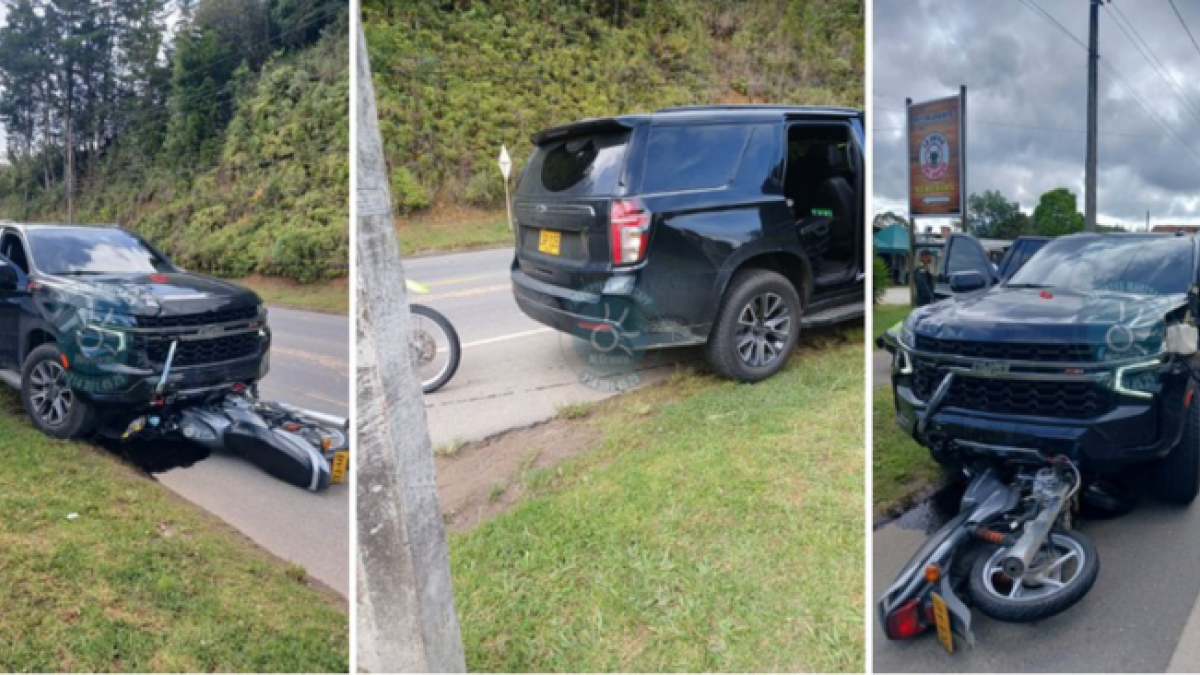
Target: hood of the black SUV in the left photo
(153,295)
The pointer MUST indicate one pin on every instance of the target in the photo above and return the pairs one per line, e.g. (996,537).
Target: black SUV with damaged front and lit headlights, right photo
(1087,351)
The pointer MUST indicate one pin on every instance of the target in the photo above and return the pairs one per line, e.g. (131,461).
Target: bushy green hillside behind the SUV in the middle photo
(457,80)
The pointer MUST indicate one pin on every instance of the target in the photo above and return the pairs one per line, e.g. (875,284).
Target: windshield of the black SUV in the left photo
(93,252)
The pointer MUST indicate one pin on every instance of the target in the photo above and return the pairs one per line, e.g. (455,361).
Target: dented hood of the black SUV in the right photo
(1030,315)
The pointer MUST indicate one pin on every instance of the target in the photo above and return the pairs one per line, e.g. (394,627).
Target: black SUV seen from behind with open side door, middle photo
(731,226)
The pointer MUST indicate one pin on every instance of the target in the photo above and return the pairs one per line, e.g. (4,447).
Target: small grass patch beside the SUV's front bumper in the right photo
(901,467)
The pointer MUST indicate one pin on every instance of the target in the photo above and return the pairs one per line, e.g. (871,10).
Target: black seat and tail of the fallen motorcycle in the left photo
(280,453)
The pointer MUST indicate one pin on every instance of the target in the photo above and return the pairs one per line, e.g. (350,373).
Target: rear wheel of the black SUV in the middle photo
(747,353)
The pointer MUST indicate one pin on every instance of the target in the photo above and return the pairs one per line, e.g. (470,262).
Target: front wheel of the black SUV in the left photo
(43,379)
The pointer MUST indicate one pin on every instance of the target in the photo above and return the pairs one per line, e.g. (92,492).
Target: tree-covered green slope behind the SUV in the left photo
(225,139)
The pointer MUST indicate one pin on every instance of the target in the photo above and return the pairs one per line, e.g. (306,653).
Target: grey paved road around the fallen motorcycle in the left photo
(310,368)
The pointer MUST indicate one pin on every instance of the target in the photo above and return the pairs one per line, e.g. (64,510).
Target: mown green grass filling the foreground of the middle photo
(718,527)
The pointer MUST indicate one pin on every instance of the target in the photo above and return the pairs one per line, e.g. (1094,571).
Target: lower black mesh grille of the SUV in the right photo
(1077,401)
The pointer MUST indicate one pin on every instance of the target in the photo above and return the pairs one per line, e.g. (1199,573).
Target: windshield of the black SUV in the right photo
(1153,266)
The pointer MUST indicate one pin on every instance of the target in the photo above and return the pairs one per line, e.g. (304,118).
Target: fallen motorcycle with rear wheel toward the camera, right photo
(1012,551)
